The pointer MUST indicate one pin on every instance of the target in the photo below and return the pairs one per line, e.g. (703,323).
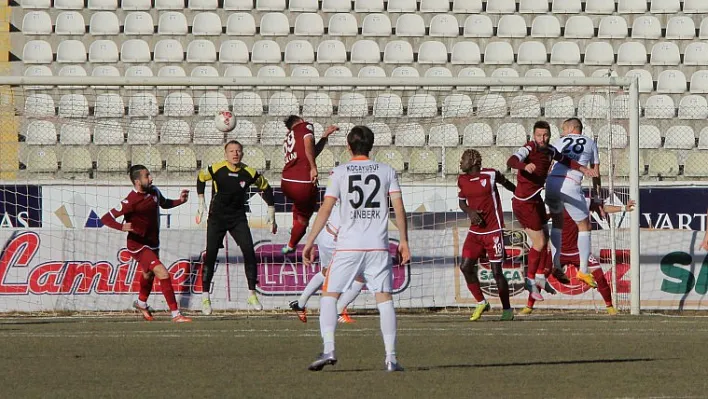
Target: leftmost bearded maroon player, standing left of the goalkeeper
(141,219)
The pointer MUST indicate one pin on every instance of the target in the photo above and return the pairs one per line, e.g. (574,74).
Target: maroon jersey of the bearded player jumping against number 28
(530,184)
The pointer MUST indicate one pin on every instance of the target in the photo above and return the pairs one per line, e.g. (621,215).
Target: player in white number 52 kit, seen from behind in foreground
(363,188)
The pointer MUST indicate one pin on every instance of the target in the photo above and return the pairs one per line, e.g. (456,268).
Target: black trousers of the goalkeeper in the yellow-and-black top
(239,230)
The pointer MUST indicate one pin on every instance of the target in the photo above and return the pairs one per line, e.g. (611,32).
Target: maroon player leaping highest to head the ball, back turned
(299,181)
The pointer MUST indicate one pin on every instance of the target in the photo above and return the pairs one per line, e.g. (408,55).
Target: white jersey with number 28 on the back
(581,149)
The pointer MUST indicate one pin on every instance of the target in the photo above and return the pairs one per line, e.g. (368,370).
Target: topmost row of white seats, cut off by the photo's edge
(433,6)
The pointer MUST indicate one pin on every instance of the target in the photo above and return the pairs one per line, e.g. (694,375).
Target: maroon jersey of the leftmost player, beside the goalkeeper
(142,211)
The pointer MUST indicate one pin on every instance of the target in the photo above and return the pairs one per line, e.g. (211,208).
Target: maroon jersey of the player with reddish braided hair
(480,192)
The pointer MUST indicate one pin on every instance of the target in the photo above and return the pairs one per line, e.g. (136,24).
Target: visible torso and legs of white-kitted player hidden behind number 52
(326,242)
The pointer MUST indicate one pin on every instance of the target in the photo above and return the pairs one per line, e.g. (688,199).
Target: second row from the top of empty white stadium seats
(407,25)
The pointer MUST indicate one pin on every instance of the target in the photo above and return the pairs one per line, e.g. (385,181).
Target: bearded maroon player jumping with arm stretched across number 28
(533,161)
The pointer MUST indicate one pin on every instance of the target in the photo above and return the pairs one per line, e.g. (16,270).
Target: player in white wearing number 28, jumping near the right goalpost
(564,192)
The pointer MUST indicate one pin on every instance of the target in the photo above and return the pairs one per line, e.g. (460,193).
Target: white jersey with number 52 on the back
(362,187)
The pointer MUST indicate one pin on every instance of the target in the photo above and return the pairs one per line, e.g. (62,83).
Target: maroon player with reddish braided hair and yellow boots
(479,199)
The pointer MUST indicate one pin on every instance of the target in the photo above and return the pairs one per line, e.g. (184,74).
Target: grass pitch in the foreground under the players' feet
(445,356)
